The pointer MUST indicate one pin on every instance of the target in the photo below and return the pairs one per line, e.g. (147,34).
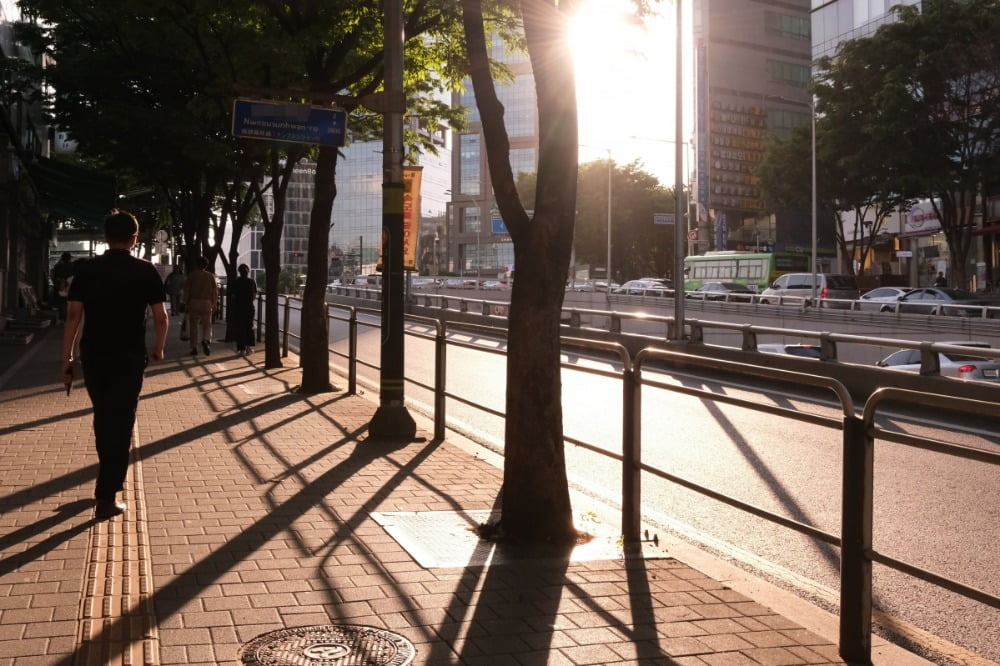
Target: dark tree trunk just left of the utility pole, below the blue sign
(315,328)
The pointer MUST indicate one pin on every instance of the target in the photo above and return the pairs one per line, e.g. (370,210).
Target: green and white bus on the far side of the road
(755,269)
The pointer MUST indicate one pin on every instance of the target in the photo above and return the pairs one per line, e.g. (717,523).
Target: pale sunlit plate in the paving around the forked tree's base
(447,539)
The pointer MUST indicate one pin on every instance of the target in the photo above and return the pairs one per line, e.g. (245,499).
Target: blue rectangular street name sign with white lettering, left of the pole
(295,123)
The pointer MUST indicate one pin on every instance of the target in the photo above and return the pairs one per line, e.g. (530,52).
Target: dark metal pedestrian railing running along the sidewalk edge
(858,437)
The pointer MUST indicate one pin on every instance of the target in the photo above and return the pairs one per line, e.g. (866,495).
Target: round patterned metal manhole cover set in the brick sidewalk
(329,645)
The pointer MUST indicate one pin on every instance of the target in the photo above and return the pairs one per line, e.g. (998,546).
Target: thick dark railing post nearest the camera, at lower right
(856,544)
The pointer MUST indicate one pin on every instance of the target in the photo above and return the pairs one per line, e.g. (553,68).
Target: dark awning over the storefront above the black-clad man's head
(74,193)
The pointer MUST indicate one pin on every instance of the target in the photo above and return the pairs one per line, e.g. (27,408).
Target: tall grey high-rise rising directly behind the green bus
(752,68)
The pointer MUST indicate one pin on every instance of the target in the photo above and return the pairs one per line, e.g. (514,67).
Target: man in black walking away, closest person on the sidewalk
(112,292)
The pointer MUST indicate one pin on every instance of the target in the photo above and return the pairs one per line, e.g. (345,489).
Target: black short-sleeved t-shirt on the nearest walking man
(115,290)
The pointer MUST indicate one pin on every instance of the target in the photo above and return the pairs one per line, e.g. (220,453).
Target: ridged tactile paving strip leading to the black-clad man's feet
(117,622)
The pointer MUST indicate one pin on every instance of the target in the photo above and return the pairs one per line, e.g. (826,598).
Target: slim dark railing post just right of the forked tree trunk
(631,455)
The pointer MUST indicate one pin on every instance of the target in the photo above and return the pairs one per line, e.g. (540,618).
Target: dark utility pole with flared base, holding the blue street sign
(391,419)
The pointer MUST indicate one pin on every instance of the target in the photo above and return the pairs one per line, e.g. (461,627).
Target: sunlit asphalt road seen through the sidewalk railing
(931,510)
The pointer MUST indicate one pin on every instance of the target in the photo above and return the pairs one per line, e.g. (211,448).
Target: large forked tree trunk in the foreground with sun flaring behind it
(535,505)
